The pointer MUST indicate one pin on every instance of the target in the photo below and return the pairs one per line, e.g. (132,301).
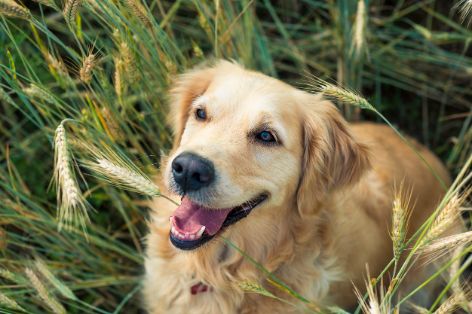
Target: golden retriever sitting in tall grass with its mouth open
(280,174)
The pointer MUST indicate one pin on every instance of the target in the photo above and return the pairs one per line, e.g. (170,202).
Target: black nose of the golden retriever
(192,172)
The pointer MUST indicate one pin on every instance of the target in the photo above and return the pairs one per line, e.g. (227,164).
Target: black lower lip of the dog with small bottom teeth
(189,242)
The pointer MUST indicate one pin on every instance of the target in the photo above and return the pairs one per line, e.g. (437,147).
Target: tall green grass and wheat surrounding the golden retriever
(107,65)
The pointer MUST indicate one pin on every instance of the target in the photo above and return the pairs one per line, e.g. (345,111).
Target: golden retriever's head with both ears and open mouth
(250,145)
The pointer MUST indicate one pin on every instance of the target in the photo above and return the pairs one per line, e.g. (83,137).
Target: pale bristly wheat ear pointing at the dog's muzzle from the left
(124,176)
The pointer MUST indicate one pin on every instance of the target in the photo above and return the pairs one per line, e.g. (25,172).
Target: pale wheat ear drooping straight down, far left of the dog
(72,206)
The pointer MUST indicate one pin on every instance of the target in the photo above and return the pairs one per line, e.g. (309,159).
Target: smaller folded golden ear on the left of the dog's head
(185,89)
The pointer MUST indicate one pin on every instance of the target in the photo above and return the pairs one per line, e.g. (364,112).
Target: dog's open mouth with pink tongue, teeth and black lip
(192,225)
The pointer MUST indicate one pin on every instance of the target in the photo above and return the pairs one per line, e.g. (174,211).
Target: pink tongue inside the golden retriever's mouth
(190,217)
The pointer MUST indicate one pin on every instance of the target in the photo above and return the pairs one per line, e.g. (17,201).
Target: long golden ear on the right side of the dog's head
(332,158)
